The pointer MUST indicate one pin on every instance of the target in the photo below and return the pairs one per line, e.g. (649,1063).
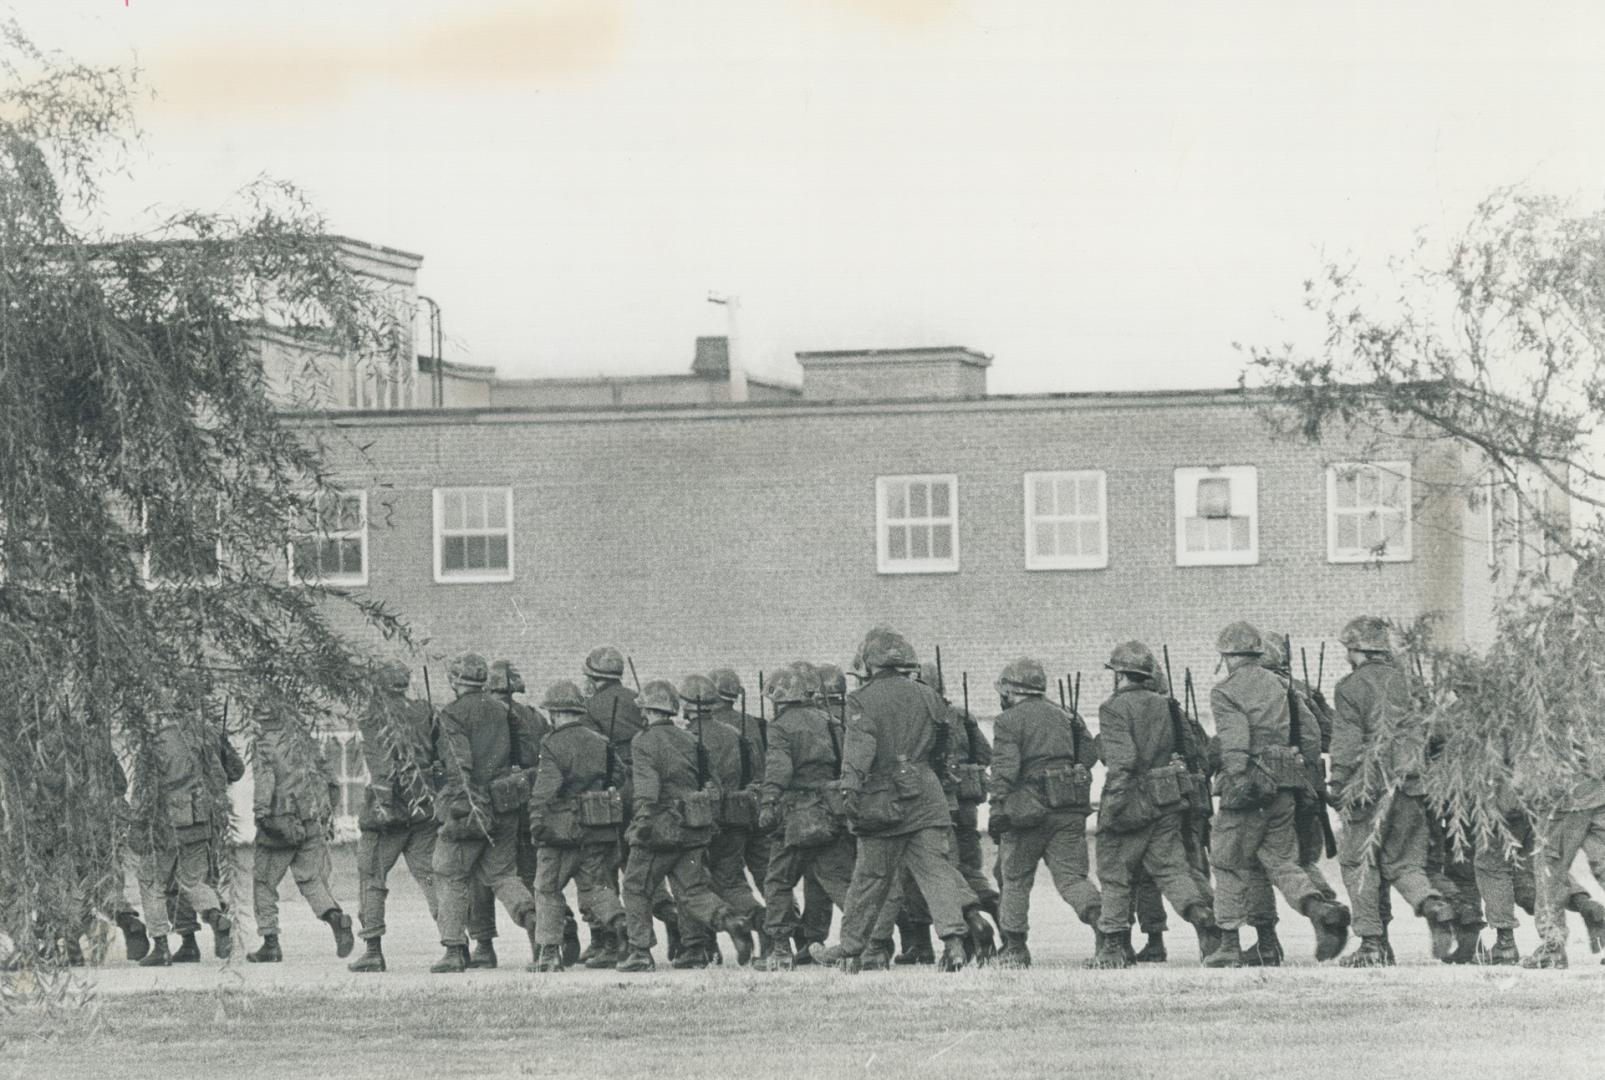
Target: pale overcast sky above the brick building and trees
(1099,195)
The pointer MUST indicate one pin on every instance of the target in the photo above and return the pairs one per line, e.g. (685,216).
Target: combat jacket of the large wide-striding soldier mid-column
(895,721)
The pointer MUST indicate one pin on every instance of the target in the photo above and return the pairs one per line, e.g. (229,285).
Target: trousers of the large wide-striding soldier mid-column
(928,858)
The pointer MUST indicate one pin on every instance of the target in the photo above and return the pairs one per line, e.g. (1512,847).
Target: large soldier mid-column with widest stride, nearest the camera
(895,749)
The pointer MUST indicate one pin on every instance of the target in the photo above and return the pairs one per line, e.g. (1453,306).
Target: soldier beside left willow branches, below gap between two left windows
(399,813)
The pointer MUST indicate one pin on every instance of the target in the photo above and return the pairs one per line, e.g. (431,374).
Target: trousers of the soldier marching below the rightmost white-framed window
(1384,843)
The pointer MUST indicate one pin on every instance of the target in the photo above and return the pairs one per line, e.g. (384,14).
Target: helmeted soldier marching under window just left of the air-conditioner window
(1041,800)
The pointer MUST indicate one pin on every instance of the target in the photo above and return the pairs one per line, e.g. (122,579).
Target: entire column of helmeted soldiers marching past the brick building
(675,806)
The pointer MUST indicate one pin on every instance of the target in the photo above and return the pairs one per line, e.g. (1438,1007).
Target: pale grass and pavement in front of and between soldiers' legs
(311,1018)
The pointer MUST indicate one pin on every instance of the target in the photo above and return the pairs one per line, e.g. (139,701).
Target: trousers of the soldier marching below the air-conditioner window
(1256,850)
